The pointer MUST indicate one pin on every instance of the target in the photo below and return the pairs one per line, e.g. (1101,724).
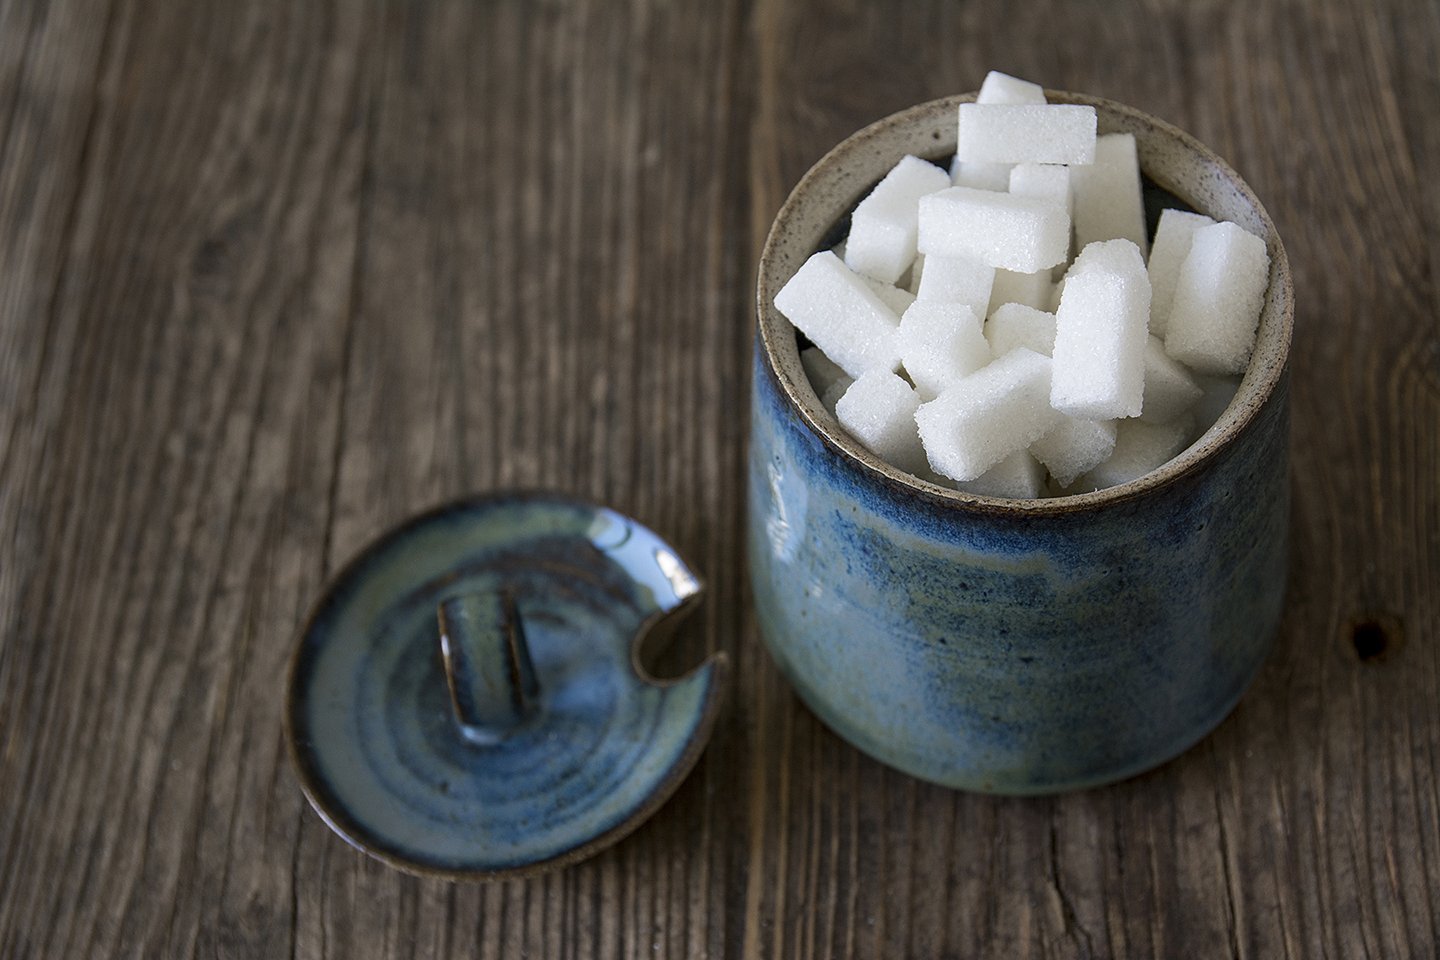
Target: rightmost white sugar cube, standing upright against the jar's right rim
(1218,300)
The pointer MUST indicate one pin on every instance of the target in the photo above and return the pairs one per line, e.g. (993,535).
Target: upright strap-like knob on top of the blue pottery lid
(487,666)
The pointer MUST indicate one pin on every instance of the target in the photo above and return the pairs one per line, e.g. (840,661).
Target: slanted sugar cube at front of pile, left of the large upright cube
(1002,408)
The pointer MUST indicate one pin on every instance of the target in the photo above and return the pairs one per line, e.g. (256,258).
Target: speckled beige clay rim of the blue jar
(777,336)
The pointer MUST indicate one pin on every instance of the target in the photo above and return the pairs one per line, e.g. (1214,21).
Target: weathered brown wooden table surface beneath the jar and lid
(276,276)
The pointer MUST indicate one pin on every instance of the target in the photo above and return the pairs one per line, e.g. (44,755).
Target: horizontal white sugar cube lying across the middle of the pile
(1016,234)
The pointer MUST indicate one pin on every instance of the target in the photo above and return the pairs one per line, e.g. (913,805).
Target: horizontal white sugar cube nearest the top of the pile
(1026,133)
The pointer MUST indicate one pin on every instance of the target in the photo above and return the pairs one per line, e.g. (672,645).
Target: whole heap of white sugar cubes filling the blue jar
(957,339)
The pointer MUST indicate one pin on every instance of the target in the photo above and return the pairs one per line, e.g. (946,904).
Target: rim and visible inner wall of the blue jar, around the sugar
(816,212)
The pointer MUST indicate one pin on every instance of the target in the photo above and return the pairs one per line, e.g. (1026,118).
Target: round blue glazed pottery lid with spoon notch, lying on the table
(467,699)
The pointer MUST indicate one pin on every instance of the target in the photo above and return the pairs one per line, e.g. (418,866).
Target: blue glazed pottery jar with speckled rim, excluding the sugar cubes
(1002,646)
